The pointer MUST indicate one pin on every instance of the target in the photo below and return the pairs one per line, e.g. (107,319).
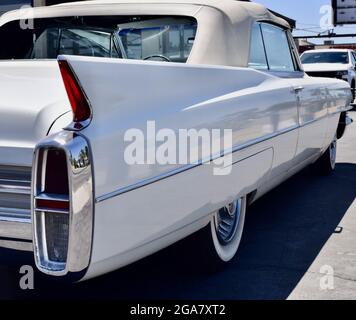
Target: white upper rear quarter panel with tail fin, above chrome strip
(220,101)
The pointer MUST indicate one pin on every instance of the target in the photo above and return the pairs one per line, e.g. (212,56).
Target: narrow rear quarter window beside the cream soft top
(257,58)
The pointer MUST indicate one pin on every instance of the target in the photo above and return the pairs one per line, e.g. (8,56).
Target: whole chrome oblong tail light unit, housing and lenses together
(62,205)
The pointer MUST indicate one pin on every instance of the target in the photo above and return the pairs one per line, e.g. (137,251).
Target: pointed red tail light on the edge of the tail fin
(77,98)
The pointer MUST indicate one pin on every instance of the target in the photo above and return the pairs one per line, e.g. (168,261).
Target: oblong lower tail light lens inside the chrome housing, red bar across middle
(52,208)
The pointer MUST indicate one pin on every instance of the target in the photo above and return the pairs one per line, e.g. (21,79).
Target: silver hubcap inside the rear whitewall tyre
(227,222)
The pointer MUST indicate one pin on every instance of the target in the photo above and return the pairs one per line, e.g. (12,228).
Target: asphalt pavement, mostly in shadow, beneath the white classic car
(299,243)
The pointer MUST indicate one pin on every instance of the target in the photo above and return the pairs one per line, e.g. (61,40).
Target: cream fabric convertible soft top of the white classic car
(224,26)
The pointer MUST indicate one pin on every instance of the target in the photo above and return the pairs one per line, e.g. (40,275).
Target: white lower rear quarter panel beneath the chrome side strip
(128,231)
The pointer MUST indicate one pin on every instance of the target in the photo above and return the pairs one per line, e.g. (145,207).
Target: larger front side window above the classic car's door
(277,48)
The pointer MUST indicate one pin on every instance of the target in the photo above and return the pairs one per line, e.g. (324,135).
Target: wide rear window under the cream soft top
(157,38)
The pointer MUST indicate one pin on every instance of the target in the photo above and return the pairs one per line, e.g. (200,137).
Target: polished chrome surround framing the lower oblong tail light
(80,218)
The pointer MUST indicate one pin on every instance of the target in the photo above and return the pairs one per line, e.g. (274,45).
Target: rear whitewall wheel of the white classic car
(226,229)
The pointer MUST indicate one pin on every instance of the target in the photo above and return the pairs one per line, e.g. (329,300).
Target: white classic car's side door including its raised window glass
(310,94)
